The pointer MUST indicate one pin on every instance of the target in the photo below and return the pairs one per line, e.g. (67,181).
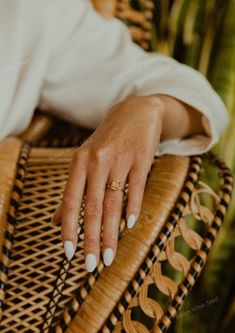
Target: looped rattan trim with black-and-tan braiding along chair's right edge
(155,306)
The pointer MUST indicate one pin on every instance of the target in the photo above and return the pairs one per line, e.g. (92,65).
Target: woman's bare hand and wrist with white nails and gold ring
(121,148)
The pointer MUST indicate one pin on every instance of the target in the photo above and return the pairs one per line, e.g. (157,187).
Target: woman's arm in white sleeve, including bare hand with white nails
(140,105)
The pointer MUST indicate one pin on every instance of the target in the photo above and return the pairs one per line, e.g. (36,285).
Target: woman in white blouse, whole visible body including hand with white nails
(85,69)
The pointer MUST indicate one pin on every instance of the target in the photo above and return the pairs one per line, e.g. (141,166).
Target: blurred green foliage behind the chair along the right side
(201,33)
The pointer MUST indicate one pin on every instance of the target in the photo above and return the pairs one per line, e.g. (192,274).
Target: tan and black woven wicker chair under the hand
(40,291)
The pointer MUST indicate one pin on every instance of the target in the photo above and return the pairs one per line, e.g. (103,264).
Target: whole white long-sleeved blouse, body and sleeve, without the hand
(63,57)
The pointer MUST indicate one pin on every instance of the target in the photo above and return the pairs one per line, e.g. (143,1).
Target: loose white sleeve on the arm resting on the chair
(98,65)
